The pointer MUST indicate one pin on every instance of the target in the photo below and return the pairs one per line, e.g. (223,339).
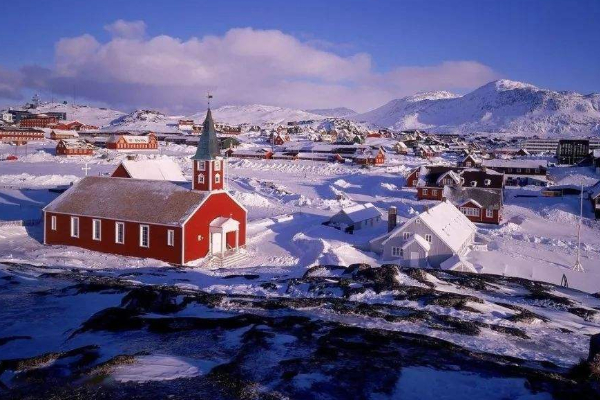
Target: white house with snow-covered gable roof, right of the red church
(429,238)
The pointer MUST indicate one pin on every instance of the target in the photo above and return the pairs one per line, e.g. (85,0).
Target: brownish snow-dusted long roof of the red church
(127,199)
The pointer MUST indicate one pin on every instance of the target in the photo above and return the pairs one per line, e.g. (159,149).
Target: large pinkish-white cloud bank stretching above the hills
(243,66)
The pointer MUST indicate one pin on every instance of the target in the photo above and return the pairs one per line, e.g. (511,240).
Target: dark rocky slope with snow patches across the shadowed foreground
(356,332)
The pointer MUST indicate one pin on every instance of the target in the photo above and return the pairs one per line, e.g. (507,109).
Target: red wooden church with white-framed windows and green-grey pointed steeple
(154,219)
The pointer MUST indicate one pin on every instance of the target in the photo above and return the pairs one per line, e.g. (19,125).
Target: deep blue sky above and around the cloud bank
(550,43)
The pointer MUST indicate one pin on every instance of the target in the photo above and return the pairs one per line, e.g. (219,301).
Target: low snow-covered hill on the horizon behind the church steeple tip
(257,114)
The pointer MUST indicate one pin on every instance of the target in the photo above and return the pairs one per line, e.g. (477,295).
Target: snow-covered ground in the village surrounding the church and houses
(536,239)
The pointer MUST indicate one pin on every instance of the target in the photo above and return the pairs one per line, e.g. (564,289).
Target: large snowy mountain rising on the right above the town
(500,106)
